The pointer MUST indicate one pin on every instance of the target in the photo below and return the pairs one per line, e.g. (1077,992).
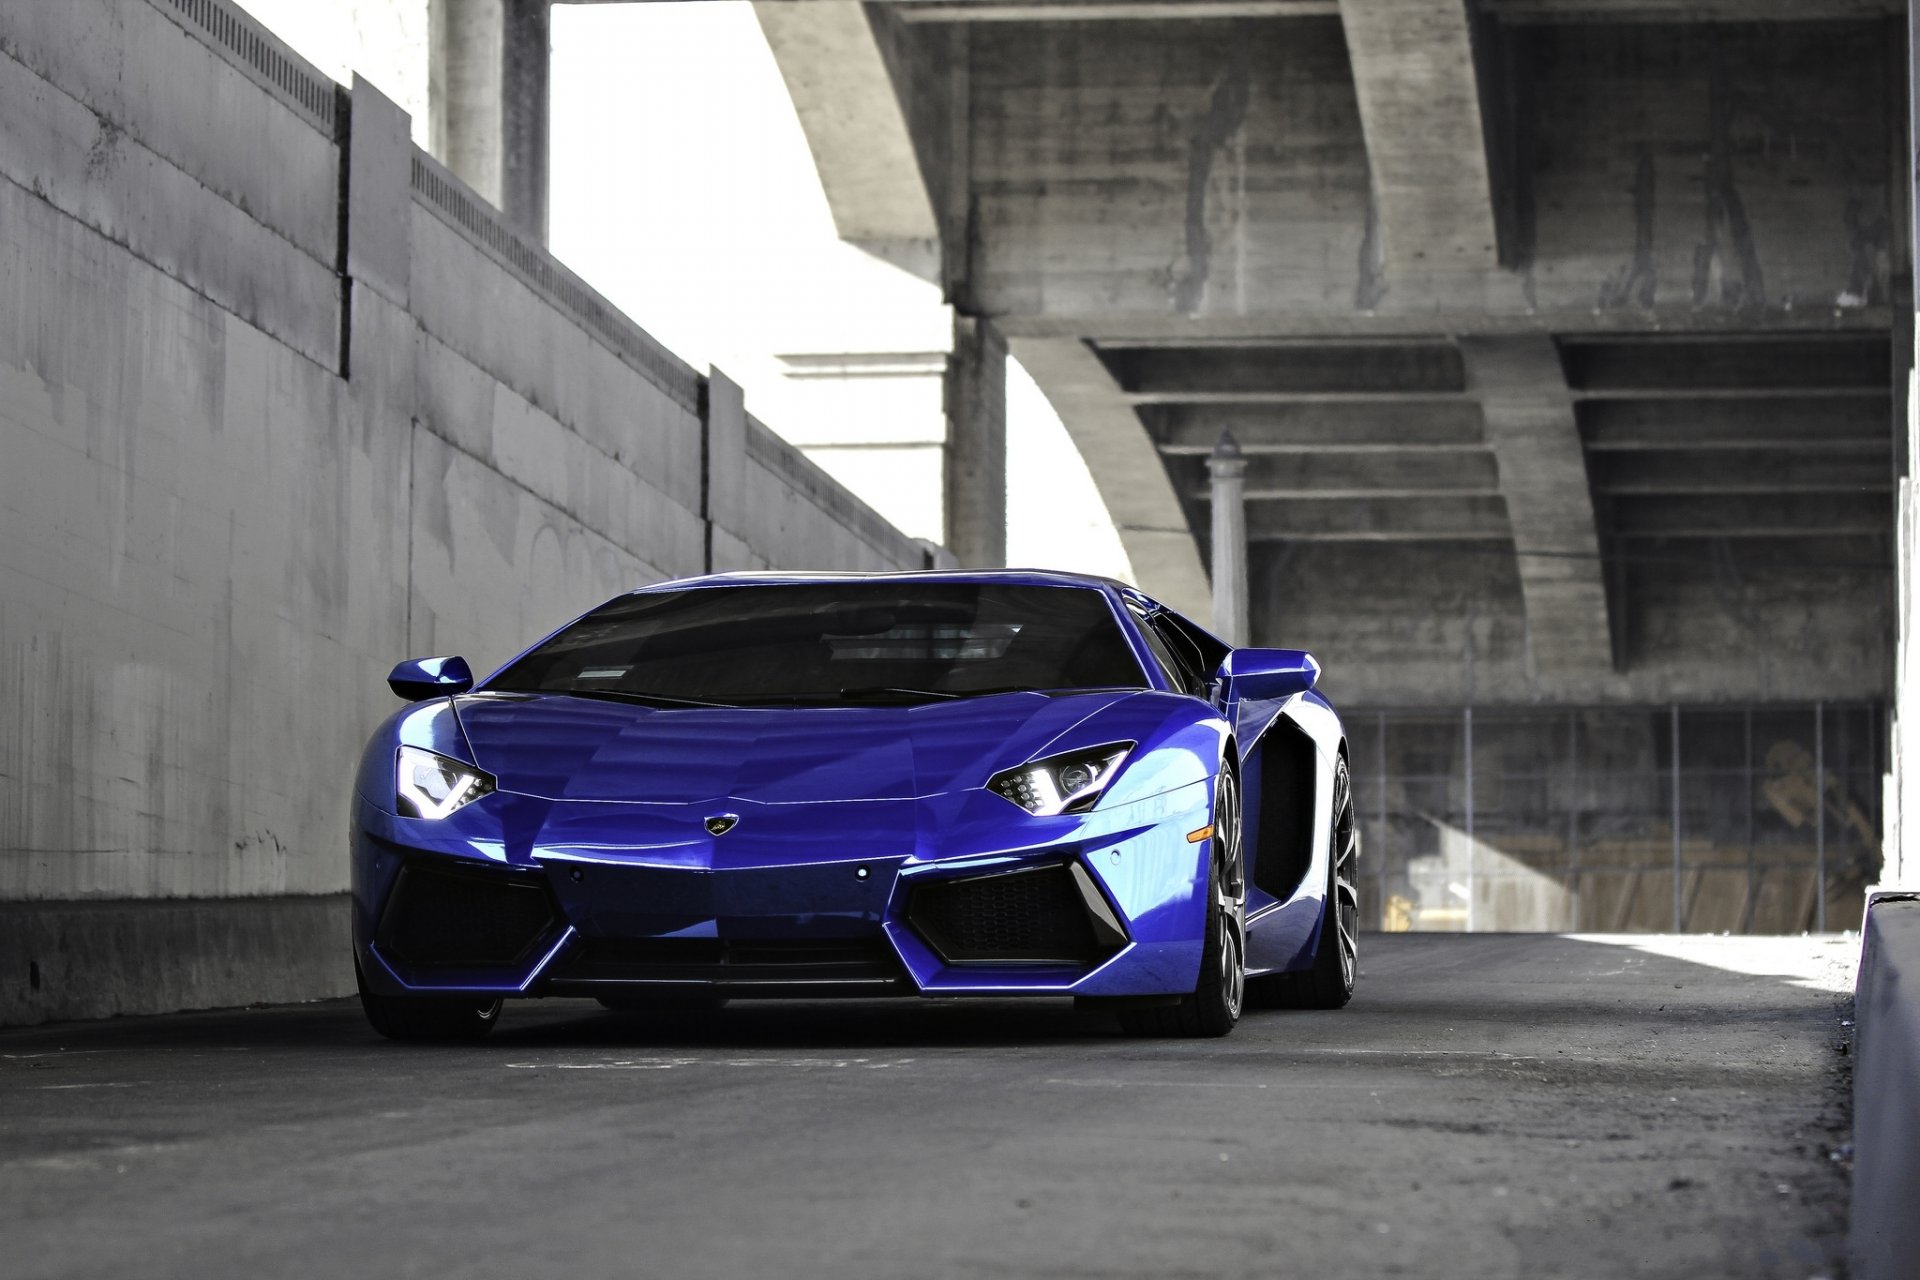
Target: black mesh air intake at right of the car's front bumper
(1047,916)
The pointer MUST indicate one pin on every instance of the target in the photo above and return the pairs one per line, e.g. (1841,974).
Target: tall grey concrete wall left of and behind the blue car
(251,458)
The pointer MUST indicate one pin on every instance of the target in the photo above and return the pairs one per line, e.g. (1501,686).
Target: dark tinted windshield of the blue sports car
(834,642)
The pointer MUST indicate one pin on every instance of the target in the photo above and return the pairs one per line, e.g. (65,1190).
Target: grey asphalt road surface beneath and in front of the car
(1489,1106)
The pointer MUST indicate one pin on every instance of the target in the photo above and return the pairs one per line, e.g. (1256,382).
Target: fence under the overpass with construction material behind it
(1620,820)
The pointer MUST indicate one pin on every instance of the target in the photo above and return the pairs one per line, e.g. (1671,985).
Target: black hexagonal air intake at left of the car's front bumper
(452,918)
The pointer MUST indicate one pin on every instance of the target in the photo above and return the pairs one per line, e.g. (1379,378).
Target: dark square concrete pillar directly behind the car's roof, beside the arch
(976,444)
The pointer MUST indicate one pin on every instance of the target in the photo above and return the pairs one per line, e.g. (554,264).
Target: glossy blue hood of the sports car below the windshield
(587,749)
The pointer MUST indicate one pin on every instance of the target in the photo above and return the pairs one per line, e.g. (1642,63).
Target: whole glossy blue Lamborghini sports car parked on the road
(948,784)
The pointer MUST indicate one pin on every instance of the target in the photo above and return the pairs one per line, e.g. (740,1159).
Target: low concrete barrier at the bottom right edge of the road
(1886,1093)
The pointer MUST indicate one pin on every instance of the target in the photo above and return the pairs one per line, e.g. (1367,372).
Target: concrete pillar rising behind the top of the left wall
(491,72)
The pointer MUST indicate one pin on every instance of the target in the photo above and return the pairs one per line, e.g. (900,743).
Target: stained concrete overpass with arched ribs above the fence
(1504,304)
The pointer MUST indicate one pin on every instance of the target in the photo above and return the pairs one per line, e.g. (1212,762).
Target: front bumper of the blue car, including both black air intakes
(805,901)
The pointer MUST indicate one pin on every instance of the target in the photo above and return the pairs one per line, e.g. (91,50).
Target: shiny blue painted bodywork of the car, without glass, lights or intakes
(842,811)
